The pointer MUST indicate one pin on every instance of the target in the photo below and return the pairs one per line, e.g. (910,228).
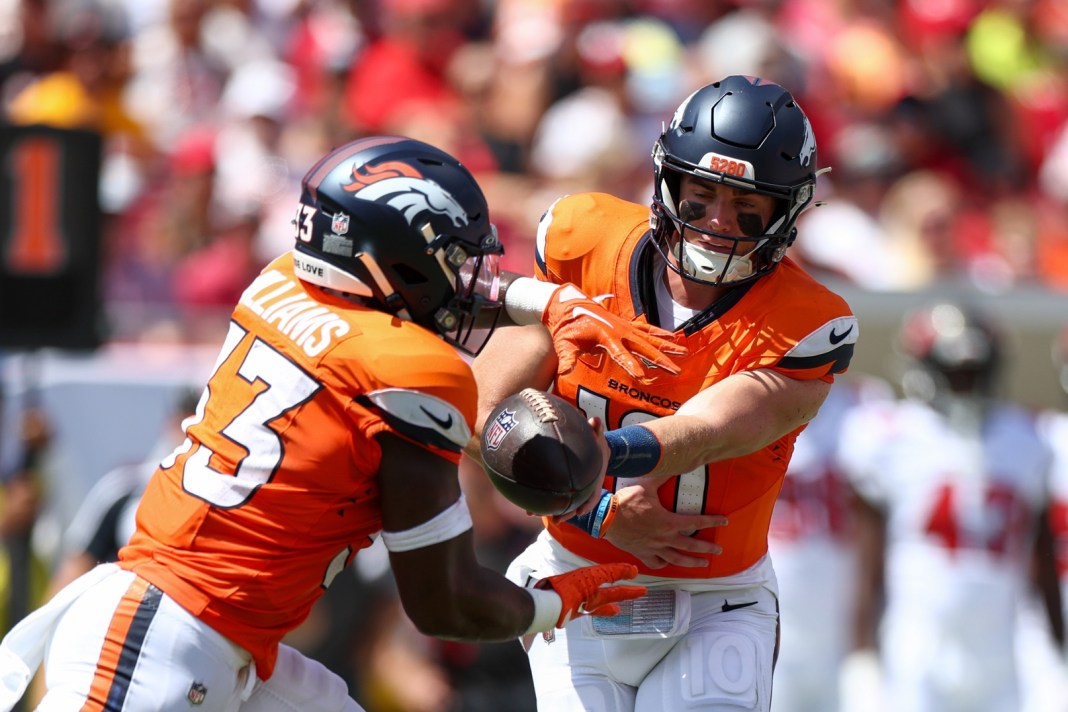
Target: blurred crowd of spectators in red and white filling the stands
(946,124)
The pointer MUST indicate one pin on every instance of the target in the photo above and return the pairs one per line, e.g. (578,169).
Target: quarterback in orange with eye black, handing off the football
(696,460)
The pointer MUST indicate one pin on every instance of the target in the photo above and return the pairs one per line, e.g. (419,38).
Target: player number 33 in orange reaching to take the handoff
(337,413)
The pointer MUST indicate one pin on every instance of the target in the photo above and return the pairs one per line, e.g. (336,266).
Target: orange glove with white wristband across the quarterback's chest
(582,324)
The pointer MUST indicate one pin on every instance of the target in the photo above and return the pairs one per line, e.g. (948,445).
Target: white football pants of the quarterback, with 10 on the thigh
(720,660)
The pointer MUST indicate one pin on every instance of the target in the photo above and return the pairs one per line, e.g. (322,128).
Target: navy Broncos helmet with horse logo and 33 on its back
(417,241)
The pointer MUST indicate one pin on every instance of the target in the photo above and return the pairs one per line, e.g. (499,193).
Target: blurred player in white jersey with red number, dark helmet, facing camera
(954,485)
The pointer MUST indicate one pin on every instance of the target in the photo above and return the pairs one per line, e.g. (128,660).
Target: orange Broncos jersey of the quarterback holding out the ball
(786,322)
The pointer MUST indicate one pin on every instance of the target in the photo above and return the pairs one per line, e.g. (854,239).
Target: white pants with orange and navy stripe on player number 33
(113,641)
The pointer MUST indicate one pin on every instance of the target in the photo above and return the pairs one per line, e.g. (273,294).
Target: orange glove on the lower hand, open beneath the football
(582,593)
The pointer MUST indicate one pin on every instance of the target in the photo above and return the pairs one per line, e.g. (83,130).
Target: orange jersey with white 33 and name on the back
(276,489)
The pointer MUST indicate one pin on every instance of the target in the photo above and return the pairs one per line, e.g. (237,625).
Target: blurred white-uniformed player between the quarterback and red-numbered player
(811,543)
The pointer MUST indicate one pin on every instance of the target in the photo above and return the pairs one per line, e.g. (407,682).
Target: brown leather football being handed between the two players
(541,453)
